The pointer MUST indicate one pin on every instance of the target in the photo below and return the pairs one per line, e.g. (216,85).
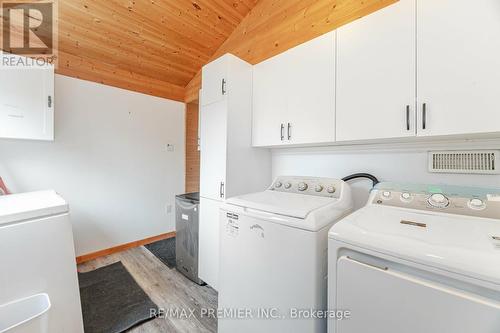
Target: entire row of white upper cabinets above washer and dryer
(414,68)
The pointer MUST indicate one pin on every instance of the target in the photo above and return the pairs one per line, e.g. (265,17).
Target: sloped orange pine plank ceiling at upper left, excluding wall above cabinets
(151,46)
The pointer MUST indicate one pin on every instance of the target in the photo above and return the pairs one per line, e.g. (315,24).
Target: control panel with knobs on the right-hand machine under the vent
(469,201)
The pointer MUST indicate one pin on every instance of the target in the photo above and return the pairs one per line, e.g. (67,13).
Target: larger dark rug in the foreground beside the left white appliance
(112,301)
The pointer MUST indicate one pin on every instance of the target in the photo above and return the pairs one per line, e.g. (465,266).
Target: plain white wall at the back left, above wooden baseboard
(109,161)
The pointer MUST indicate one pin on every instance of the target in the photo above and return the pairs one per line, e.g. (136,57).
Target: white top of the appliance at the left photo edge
(26,206)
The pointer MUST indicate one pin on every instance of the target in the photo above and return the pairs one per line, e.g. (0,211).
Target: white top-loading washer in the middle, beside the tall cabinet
(273,258)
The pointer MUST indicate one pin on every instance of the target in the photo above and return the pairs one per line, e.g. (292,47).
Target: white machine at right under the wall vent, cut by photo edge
(418,259)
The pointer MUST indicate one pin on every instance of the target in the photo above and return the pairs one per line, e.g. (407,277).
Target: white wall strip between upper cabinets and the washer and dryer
(402,164)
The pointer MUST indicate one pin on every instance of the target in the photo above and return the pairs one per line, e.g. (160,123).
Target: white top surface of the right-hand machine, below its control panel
(464,245)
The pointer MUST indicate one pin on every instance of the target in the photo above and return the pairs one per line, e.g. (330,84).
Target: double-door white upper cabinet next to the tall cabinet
(294,95)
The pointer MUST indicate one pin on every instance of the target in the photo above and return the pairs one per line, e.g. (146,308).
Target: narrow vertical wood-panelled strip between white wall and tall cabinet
(192,152)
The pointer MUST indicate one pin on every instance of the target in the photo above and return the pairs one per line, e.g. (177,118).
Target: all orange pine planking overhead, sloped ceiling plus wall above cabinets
(158,47)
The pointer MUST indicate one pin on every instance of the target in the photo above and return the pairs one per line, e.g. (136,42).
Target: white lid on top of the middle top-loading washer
(282,203)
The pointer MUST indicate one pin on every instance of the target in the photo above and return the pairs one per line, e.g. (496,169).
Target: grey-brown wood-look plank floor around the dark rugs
(168,288)
